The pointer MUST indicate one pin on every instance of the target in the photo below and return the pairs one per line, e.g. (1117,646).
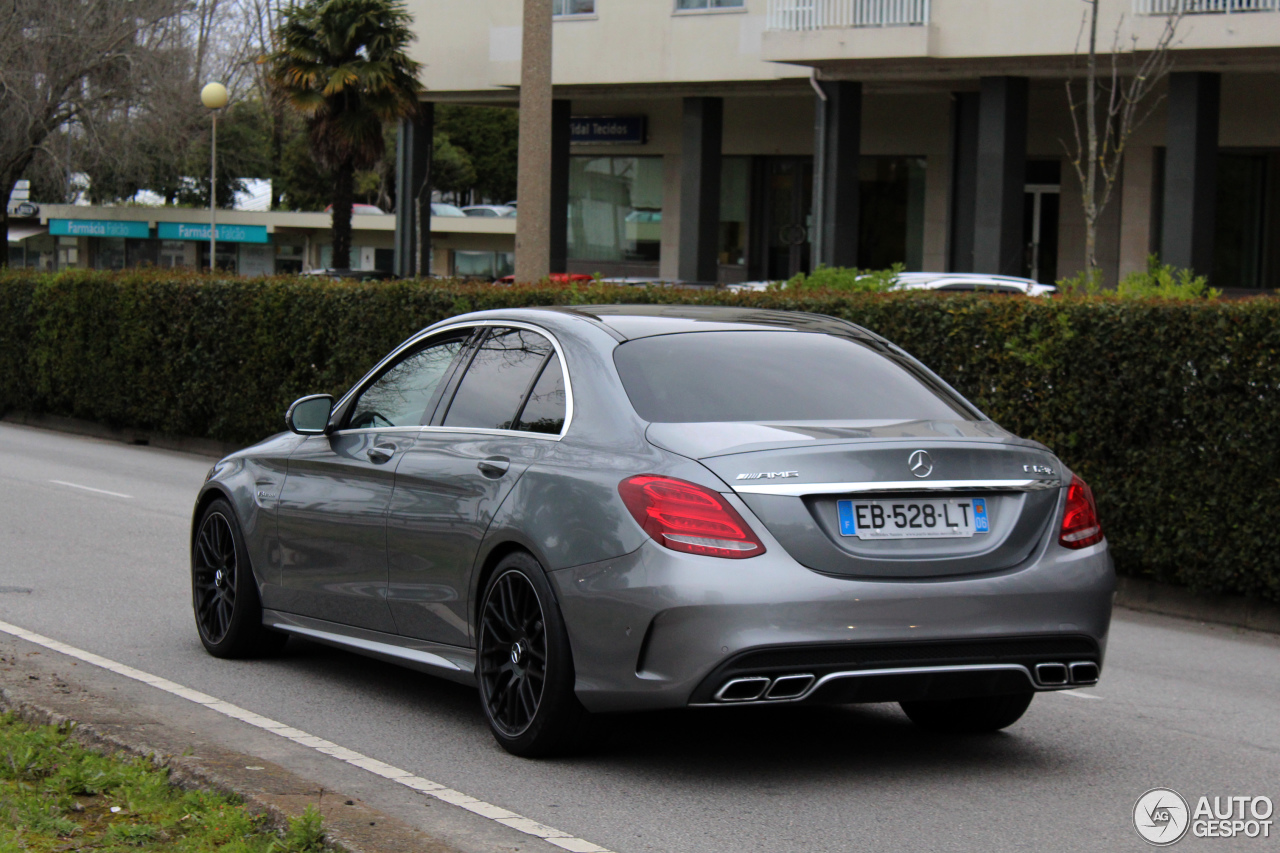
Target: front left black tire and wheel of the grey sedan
(225,590)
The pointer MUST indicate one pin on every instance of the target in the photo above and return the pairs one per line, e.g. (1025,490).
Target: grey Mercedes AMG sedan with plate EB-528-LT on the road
(588,510)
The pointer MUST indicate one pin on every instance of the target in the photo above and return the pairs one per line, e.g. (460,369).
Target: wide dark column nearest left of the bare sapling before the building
(1002,176)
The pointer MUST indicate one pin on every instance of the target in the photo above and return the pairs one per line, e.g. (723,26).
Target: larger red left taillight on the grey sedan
(685,517)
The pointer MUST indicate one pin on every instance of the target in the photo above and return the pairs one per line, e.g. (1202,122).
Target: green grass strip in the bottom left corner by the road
(58,797)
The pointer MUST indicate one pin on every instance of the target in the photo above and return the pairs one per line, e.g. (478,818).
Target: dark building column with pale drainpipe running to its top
(839,149)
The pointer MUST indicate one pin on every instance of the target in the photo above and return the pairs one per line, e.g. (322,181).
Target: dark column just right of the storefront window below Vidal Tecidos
(703,133)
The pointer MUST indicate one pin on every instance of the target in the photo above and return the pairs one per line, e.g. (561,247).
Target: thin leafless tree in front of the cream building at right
(1114,107)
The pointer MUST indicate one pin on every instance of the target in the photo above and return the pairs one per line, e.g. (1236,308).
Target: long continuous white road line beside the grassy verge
(490,811)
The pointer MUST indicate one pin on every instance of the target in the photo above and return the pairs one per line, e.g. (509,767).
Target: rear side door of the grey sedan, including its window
(509,404)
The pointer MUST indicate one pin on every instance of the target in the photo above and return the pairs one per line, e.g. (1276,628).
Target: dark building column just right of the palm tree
(414,194)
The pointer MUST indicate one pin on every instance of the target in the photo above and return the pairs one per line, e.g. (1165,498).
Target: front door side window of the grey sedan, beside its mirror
(400,398)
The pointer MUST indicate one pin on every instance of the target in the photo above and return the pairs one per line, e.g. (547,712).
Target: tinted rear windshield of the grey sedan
(707,377)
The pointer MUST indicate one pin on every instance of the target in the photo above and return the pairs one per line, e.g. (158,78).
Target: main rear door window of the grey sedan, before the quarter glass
(500,377)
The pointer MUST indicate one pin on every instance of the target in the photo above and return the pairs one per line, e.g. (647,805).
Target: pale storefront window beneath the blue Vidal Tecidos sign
(615,209)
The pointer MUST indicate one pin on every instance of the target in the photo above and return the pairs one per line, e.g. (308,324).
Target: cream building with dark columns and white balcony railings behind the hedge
(744,140)
